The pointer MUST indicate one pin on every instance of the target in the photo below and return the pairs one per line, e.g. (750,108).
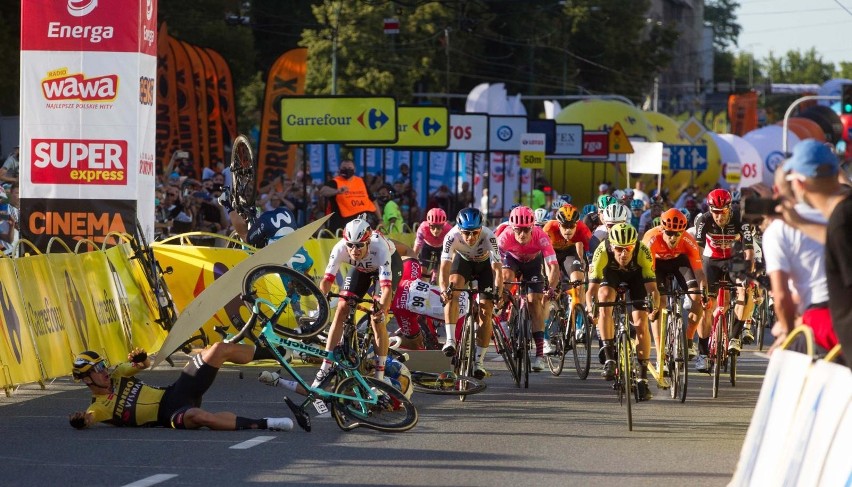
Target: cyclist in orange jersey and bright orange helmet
(676,254)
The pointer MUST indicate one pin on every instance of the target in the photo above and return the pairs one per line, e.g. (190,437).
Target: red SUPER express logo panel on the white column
(70,161)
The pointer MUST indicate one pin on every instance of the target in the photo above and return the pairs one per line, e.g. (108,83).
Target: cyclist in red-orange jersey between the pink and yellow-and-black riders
(570,240)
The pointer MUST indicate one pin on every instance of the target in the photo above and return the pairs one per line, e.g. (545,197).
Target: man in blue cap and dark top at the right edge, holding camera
(813,172)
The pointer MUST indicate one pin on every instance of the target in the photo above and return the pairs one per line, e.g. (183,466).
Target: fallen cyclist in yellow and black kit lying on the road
(120,399)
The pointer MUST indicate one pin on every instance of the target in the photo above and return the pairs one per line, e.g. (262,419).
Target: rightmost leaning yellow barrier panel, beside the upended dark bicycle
(136,296)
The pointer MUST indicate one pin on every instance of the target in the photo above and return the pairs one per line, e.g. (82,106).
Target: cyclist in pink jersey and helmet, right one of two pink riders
(524,251)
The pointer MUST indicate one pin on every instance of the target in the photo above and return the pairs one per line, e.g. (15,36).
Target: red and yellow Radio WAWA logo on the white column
(59,86)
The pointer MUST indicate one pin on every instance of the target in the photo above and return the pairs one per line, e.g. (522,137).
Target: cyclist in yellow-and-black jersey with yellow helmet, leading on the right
(623,259)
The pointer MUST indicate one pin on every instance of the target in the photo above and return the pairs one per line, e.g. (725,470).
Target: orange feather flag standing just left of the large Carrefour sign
(286,78)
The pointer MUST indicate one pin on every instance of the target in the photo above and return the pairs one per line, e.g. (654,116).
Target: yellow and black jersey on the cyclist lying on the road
(132,403)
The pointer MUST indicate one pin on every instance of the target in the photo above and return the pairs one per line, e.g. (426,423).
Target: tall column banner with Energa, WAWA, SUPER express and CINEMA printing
(88,121)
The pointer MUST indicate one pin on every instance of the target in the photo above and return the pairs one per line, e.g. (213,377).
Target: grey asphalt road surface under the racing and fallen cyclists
(560,431)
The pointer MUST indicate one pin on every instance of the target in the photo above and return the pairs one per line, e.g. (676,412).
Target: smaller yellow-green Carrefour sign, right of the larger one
(422,127)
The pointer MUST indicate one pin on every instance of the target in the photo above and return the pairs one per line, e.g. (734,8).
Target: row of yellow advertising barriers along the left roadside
(56,304)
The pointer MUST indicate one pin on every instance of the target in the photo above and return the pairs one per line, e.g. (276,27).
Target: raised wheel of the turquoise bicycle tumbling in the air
(287,299)
